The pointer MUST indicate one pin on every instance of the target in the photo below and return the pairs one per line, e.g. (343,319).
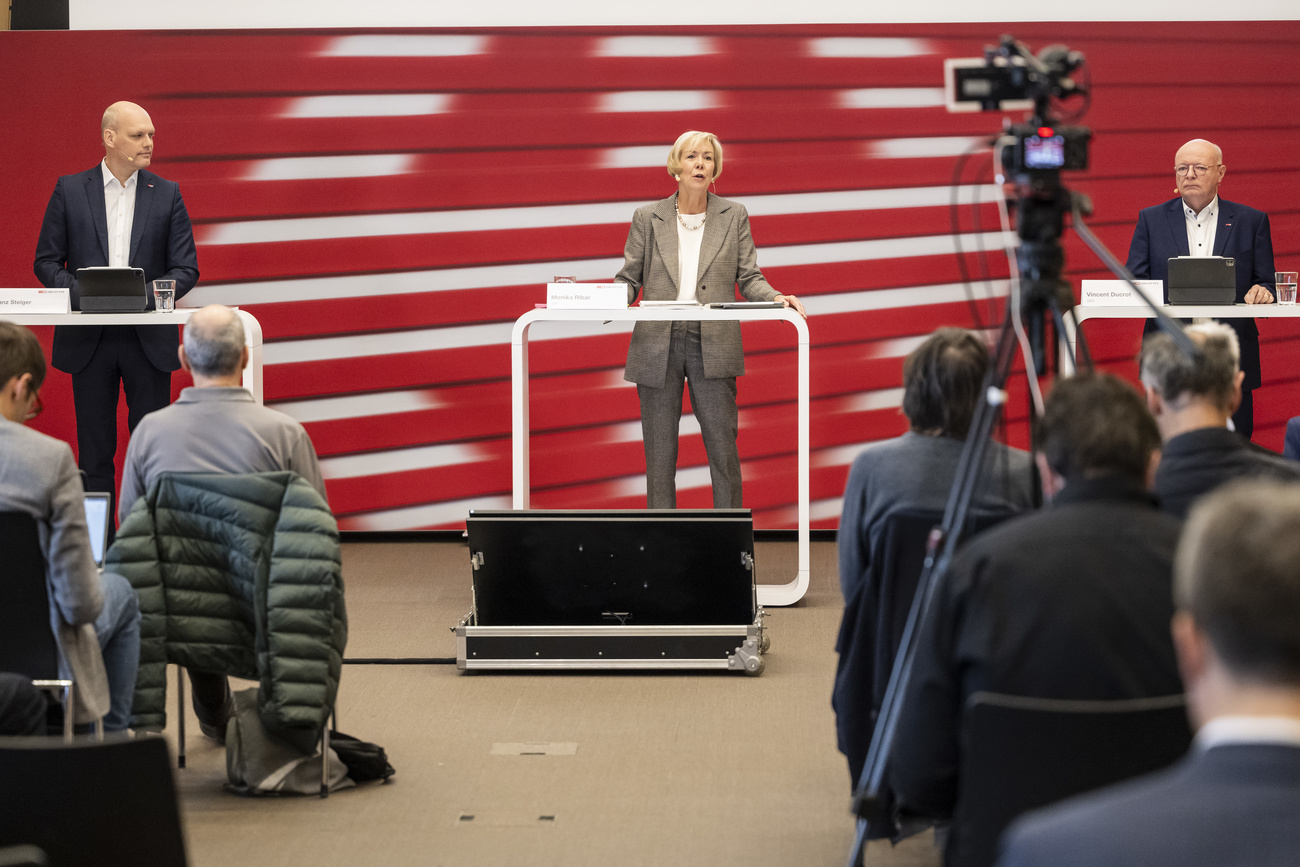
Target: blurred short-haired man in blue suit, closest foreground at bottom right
(1236,799)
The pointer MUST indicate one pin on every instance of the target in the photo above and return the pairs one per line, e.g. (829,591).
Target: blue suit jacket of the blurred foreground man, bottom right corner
(1233,804)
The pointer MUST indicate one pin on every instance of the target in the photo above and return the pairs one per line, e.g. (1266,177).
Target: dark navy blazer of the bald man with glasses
(1243,235)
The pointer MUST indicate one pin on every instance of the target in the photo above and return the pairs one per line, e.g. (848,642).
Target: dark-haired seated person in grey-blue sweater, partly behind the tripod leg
(942,382)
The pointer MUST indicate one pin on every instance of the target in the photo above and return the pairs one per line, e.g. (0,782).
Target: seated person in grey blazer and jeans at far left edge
(96,618)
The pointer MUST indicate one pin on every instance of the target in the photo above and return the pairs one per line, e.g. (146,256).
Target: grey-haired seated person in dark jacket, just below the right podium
(1193,398)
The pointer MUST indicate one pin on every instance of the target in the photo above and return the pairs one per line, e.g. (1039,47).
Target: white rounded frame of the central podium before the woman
(769,595)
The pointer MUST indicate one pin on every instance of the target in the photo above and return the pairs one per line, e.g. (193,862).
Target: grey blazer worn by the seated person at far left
(38,476)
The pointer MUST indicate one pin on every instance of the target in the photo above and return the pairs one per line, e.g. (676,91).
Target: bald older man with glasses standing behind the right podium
(1201,224)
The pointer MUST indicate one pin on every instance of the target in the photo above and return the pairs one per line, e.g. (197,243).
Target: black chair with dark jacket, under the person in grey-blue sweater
(873,625)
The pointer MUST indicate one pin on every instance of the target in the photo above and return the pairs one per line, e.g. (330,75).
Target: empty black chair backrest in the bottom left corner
(109,804)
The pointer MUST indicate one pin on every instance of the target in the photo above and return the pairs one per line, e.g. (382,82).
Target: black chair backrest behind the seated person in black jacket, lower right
(1025,753)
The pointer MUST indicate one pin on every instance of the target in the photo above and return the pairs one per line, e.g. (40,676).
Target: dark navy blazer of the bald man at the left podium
(75,235)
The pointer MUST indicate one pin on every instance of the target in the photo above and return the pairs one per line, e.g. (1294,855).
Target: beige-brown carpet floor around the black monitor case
(557,769)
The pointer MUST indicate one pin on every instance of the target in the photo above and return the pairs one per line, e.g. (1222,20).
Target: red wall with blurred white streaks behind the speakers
(525,162)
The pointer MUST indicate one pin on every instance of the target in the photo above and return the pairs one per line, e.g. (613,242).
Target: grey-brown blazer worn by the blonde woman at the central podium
(727,258)
